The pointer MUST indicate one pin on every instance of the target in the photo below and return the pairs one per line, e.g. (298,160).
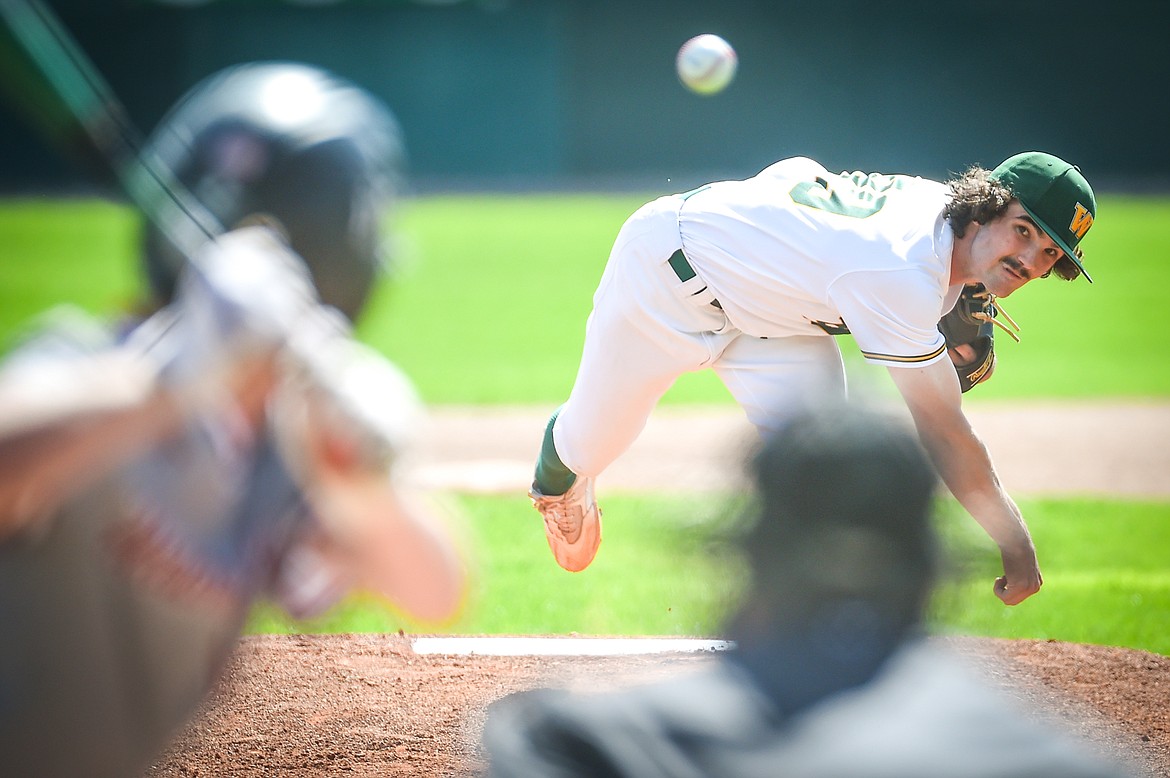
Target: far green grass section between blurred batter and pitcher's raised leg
(492,295)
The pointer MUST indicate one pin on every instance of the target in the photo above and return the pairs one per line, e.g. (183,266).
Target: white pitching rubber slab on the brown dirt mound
(563,646)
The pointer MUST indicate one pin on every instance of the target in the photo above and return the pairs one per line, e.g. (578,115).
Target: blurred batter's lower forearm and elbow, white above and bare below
(343,417)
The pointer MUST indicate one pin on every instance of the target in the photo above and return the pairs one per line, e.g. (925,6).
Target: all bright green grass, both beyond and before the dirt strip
(488,307)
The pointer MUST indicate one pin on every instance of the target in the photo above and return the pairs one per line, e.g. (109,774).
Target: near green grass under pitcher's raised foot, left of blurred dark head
(650,579)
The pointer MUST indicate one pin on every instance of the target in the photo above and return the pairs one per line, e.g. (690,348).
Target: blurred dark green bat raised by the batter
(64,95)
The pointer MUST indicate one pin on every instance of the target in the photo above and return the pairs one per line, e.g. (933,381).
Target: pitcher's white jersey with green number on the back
(797,250)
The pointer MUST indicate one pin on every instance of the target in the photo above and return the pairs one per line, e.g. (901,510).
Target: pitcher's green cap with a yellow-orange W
(1056,195)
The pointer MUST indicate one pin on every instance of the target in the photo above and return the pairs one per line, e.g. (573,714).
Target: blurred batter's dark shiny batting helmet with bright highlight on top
(286,142)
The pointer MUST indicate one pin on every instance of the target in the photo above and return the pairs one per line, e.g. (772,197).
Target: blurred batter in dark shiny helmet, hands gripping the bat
(160,478)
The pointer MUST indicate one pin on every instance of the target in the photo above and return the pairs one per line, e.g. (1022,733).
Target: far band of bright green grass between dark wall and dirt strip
(490,301)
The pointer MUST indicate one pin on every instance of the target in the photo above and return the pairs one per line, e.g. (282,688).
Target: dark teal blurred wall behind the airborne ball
(532,94)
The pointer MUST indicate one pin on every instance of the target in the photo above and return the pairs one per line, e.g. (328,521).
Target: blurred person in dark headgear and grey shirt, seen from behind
(830,674)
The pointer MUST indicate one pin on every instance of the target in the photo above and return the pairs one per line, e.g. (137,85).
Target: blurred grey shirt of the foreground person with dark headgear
(926,715)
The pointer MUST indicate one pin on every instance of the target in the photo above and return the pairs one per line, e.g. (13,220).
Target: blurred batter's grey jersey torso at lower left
(120,612)
